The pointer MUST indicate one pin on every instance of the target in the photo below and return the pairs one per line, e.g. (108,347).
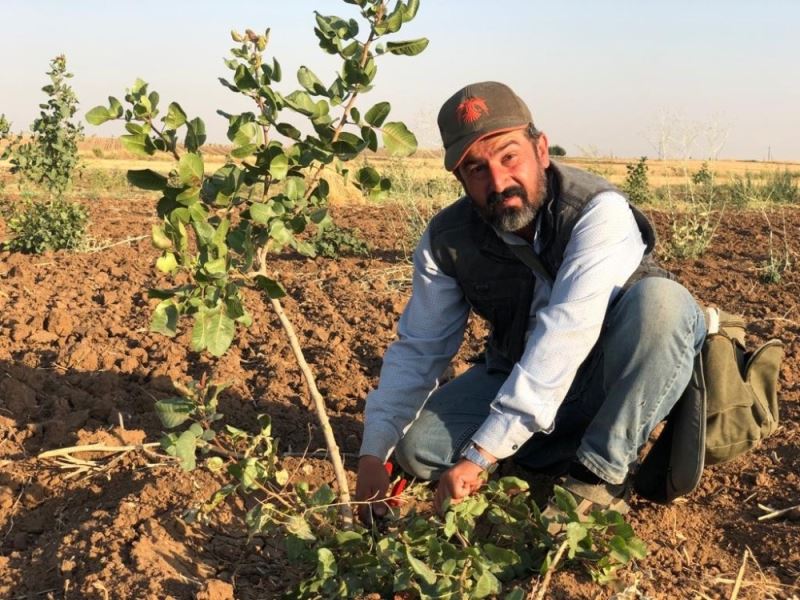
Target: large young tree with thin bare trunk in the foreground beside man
(272,187)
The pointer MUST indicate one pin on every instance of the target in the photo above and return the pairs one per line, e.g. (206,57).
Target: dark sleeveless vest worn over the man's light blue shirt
(496,284)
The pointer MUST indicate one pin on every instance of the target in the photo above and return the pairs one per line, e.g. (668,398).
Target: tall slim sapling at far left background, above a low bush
(49,157)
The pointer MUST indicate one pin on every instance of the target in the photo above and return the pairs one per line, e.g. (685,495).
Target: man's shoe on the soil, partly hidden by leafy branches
(589,497)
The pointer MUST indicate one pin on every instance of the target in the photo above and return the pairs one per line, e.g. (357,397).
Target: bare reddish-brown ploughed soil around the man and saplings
(78,365)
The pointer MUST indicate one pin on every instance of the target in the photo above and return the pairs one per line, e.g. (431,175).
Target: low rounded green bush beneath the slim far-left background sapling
(48,225)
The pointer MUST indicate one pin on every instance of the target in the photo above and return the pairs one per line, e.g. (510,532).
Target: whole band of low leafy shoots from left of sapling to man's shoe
(482,547)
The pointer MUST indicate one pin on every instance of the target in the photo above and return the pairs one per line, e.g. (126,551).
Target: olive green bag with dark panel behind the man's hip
(729,406)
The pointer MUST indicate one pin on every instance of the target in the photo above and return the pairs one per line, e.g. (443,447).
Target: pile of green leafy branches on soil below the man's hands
(482,547)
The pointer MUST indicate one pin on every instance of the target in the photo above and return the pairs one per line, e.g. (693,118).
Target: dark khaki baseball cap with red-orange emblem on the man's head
(475,111)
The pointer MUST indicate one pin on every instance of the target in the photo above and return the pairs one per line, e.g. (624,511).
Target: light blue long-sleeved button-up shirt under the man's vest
(565,321)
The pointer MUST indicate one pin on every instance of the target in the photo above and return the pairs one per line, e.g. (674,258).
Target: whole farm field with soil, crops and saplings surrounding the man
(190,330)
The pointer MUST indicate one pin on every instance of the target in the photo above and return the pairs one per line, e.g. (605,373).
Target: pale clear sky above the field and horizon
(606,77)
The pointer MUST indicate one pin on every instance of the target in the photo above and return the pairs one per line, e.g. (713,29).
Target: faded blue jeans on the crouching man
(633,377)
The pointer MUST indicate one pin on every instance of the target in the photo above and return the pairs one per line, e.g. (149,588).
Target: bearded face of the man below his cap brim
(504,175)
